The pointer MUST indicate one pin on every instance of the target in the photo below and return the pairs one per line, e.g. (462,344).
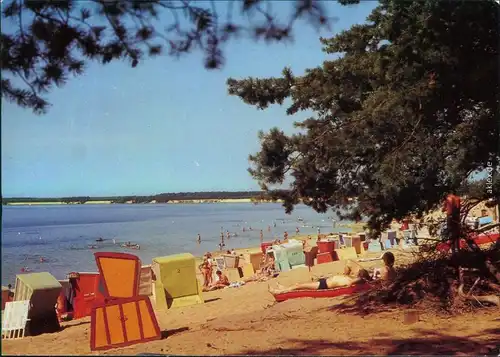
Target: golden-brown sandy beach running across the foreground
(247,320)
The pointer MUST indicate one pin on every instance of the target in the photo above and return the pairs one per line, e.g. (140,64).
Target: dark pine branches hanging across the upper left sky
(54,40)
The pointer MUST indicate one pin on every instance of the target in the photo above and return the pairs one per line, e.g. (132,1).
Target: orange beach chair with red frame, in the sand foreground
(125,318)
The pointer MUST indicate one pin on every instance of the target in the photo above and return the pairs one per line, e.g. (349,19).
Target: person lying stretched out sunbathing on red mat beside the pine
(332,282)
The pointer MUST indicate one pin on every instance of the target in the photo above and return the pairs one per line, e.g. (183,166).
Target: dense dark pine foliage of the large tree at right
(404,116)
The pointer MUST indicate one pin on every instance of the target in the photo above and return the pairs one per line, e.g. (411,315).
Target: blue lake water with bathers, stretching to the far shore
(62,234)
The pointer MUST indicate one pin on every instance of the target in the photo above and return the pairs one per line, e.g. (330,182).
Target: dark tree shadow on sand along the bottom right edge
(428,343)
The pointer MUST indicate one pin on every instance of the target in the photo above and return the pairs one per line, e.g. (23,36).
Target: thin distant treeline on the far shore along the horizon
(160,198)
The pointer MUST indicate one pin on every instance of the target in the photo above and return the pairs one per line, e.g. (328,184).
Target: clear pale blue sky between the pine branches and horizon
(167,125)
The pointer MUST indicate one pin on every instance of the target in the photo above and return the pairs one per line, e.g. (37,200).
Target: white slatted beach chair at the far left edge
(15,318)
